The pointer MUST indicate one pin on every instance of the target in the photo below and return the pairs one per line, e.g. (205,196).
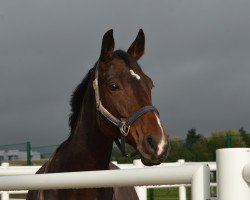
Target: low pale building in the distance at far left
(18,155)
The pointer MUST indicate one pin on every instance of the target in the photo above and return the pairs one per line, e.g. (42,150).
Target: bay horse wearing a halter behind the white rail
(113,101)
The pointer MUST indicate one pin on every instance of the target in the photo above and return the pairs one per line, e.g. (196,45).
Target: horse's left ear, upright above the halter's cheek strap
(108,45)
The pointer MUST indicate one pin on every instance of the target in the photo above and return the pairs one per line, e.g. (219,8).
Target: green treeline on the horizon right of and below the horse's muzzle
(197,147)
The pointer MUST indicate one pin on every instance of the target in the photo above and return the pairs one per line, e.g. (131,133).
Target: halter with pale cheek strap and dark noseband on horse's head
(124,126)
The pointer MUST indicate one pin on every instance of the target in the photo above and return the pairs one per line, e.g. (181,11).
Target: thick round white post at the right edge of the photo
(230,182)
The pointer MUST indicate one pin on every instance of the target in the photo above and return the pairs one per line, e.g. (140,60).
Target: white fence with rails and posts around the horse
(233,177)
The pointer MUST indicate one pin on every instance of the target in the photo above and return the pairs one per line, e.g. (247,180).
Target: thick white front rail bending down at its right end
(196,175)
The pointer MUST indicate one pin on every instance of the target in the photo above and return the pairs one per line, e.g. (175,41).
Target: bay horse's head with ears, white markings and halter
(123,95)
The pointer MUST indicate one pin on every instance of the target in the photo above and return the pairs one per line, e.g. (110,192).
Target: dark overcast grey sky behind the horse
(197,53)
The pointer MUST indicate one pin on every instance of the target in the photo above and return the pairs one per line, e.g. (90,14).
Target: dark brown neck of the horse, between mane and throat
(87,148)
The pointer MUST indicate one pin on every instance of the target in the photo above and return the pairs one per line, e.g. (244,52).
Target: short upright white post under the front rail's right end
(200,184)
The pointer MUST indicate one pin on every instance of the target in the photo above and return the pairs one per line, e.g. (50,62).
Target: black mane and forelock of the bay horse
(78,94)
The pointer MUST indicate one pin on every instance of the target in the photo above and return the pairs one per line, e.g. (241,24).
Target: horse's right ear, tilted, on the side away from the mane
(136,49)
